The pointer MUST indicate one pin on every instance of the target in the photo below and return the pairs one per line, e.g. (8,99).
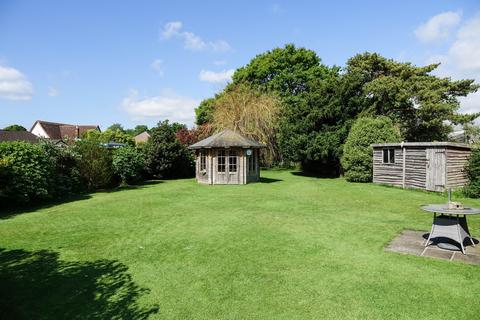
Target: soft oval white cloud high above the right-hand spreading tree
(438,27)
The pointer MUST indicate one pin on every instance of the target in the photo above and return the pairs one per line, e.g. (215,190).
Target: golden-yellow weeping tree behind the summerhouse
(253,114)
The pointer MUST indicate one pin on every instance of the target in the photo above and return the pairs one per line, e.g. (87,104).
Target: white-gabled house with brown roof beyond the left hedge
(60,131)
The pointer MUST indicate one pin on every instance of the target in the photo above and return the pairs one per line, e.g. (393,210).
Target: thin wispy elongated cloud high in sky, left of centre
(191,41)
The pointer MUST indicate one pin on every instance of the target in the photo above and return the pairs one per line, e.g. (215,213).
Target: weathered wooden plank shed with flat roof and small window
(433,166)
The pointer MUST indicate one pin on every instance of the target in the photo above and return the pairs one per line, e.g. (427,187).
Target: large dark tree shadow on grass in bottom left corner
(37,285)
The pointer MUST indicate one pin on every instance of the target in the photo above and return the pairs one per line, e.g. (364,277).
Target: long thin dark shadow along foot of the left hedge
(9,210)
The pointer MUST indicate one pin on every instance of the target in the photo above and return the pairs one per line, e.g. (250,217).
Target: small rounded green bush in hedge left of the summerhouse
(128,164)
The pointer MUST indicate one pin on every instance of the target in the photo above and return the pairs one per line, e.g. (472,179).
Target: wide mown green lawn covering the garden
(291,247)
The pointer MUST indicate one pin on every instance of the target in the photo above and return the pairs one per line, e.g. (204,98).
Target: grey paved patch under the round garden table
(413,242)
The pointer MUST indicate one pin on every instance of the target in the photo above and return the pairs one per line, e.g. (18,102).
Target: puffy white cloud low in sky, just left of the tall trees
(167,105)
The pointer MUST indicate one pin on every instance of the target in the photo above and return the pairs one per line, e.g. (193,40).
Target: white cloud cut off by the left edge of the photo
(14,85)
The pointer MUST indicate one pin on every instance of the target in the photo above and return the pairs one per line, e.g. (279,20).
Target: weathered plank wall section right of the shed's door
(456,160)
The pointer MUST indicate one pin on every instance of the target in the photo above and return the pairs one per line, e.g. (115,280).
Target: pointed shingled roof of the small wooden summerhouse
(226,139)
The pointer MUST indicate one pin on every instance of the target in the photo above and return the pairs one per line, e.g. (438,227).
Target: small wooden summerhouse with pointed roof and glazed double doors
(227,158)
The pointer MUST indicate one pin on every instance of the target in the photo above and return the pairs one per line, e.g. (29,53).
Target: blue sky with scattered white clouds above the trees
(138,62)
